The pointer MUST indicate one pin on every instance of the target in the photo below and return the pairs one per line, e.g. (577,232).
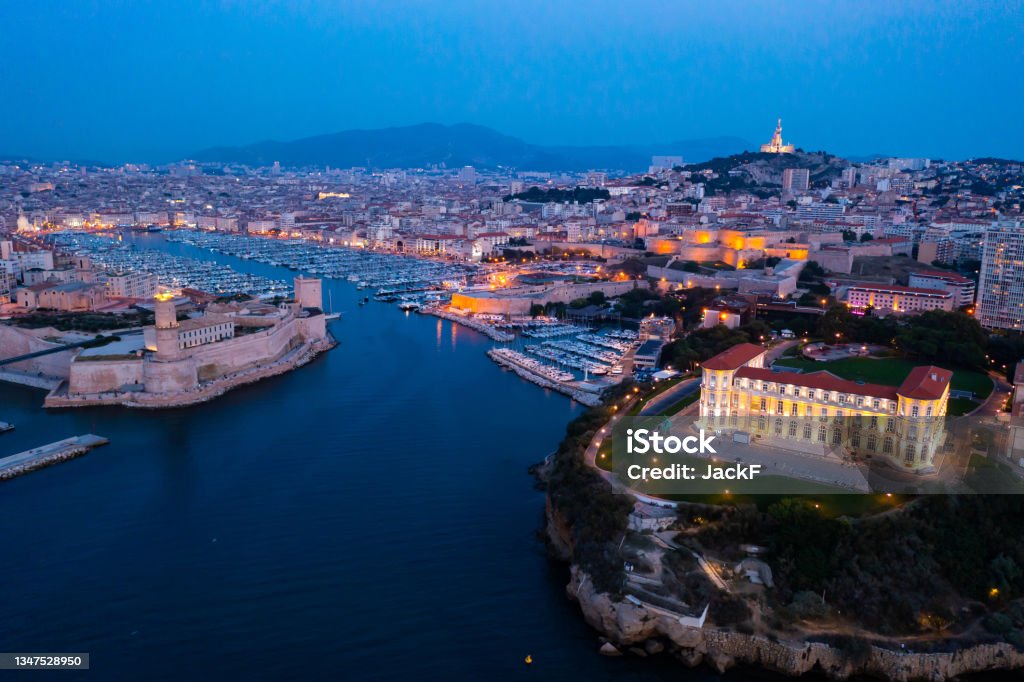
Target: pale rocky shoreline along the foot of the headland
(629,628)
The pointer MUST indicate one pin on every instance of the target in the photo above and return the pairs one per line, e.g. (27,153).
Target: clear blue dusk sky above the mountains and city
(155,81)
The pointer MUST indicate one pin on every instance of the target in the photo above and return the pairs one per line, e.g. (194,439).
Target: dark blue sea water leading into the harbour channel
(369,517)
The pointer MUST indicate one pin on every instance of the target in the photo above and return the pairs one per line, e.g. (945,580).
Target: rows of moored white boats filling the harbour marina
(561,354)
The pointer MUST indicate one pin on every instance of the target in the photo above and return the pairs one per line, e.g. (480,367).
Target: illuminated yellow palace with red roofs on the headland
(903,425)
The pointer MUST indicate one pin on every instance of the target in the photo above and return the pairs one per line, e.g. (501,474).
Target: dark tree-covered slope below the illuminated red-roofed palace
(943,561)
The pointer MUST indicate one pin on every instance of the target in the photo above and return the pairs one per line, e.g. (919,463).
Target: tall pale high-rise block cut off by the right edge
(1001,291)
